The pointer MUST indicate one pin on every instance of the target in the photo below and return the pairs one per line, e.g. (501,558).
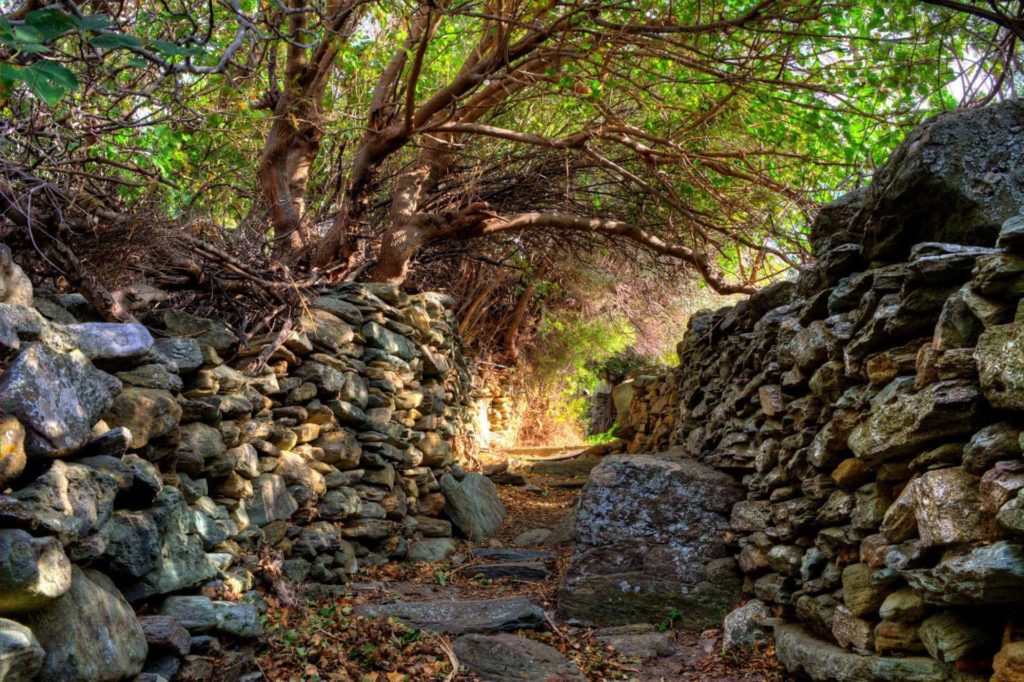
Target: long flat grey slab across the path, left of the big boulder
(459,618)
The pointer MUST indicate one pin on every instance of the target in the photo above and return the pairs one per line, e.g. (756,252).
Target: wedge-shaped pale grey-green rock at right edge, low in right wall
(990,575)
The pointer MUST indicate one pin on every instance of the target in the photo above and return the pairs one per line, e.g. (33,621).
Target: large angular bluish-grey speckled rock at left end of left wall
(57,397)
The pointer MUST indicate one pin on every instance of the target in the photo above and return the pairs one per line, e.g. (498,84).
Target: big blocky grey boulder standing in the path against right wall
(652,535)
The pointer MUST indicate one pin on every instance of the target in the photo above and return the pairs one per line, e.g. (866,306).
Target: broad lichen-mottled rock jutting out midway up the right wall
(903,422)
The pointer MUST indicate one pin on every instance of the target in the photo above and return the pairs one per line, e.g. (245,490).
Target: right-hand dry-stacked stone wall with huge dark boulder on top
(872,409)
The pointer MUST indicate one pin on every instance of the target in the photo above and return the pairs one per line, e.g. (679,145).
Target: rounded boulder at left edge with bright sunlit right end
(33,572)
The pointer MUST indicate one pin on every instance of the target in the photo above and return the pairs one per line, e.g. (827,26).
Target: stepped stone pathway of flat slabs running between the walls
(497,602)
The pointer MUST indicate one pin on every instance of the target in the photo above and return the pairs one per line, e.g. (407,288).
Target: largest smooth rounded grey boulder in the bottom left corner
(91,634)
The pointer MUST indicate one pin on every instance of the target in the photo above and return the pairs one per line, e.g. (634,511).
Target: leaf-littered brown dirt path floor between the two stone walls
(305,644)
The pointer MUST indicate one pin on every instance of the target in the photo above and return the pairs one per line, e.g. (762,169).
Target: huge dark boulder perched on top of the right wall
(956,179)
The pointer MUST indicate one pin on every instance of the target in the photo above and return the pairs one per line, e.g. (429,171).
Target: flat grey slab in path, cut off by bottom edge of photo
(510,659)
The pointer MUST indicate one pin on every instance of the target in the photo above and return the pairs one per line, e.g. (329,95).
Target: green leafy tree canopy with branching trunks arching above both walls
(400,133)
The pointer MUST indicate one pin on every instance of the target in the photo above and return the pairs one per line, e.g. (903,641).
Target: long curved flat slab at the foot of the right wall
(801,652)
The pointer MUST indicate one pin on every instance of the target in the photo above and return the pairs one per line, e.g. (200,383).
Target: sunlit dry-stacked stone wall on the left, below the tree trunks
(168,470)
